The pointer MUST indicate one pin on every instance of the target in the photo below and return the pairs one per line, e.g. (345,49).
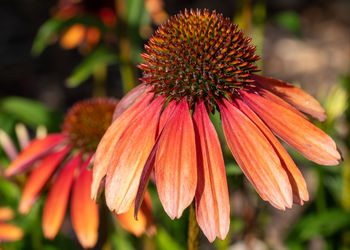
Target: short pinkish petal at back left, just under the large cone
(129,99)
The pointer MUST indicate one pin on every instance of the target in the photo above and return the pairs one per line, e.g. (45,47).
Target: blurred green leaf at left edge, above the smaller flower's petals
(32,113)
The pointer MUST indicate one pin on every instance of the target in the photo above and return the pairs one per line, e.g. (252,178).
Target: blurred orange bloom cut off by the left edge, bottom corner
(8,232)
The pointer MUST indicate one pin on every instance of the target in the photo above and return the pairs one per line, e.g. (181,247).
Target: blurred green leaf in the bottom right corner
(322,224)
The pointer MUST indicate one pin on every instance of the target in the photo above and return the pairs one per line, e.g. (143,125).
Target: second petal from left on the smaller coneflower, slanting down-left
(39,177)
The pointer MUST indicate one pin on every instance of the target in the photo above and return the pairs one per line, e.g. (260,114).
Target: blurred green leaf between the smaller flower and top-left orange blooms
(101,56)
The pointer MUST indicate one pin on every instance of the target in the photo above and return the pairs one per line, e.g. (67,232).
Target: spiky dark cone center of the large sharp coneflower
(198,55)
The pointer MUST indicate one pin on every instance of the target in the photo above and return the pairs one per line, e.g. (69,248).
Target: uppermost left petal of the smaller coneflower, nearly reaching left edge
(36,149)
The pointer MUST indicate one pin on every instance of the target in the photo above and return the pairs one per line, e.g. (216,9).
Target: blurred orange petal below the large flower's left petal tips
(144,223)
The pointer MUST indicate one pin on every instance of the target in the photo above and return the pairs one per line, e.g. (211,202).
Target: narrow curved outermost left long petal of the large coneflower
(106,146)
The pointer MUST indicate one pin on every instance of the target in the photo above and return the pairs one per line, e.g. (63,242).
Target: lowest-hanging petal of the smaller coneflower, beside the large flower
(84,211)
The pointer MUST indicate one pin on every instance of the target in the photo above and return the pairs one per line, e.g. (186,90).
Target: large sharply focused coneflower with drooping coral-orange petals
(199,63)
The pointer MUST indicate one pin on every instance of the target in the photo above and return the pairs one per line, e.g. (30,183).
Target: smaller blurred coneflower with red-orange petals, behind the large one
(67,156)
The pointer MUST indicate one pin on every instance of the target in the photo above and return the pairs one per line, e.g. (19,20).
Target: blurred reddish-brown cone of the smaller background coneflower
(87,121)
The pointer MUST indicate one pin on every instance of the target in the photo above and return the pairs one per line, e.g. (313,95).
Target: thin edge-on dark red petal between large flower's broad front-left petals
(147,170)
